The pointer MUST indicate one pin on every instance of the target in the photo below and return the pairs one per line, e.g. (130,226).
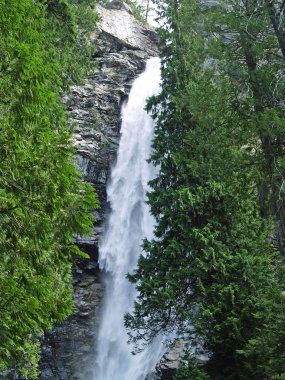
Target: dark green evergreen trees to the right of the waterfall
(214,272)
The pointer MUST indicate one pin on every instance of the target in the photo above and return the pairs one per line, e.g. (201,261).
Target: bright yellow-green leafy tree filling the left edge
(44,202)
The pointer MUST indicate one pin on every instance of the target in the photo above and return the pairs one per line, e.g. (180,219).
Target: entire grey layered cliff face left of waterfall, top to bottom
(122,47)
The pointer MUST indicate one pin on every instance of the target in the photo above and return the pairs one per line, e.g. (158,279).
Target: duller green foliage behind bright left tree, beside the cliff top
(68,24)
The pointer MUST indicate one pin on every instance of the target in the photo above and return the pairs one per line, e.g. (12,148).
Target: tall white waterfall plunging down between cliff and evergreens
(129,222)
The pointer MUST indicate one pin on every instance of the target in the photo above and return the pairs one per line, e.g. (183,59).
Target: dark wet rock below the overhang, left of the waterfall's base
(67,349)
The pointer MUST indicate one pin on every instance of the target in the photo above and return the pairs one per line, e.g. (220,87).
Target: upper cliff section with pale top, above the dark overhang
(123,45)
